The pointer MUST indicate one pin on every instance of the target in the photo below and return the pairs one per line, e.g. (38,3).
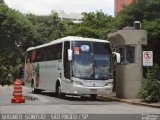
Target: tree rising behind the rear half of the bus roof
(47,28)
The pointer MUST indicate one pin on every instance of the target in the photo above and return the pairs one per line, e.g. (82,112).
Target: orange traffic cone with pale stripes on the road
(17,94)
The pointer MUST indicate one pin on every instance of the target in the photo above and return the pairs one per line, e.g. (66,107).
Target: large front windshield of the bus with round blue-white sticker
(91,60)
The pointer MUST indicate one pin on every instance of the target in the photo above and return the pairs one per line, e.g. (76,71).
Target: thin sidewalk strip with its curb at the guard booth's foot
(131,101)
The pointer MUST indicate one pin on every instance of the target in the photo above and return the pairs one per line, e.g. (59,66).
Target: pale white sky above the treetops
(44,7)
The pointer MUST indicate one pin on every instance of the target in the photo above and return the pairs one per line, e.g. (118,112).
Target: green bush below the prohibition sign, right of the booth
(150,90)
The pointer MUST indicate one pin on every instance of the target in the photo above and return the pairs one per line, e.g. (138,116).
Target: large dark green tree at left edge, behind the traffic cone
(14,28)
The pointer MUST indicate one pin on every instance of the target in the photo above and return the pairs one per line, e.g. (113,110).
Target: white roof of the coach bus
(68,38)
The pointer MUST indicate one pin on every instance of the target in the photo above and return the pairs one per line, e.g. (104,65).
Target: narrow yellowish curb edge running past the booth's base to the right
(129,101)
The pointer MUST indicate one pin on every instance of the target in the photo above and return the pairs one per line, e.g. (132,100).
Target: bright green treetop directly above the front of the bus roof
(94,25)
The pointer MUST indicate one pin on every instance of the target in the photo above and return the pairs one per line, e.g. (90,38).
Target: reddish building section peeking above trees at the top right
(120,4)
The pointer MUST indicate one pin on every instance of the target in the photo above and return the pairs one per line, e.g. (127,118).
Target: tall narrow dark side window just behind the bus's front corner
(65,60)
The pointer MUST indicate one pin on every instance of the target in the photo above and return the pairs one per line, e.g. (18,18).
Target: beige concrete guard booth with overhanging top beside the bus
(129,43)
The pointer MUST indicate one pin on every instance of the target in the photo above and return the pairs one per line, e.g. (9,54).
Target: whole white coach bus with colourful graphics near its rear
(70,65)
